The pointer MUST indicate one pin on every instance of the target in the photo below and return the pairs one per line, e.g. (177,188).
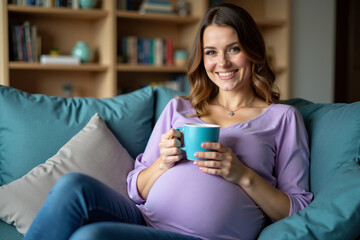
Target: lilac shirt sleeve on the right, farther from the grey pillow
(292,163)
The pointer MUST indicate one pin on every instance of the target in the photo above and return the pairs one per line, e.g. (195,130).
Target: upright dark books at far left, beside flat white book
(24,43)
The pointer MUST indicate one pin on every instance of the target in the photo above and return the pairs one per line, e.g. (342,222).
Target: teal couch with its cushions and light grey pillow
(43,137)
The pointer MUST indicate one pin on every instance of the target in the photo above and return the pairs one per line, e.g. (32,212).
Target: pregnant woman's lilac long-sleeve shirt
(186,200)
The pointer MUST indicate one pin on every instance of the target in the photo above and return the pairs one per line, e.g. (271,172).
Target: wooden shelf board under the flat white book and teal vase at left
(90,67)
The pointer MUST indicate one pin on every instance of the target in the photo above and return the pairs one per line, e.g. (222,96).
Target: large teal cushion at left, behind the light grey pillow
(33,127)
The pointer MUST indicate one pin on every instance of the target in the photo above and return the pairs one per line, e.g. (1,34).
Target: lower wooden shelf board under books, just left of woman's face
(149,68)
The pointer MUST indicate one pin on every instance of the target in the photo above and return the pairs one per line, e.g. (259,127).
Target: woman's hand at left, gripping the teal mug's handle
(169,148)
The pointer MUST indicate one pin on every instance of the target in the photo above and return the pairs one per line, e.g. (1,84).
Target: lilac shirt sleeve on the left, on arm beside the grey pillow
(152,151)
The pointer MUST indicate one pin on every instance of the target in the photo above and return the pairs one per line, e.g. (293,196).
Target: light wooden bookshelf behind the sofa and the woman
(103,27)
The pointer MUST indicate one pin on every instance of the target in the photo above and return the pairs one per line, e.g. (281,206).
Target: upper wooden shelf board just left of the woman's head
(134,15)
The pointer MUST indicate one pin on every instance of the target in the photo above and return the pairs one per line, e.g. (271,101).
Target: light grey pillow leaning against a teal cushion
(94,151)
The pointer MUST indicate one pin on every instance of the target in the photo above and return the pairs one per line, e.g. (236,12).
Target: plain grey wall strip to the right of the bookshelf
(312,35)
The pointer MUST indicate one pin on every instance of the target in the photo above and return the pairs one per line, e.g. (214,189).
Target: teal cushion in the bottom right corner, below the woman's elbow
(334,213)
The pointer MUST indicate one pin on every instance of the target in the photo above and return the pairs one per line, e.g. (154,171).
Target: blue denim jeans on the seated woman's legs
(81,207)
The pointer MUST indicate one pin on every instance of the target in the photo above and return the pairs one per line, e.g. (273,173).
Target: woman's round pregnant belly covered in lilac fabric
(186,200)
